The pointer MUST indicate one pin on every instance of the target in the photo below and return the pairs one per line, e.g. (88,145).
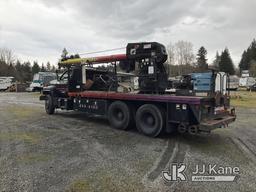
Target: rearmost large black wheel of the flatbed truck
(150,120)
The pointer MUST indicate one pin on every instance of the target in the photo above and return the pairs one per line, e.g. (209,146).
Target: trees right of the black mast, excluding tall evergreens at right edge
(182,60)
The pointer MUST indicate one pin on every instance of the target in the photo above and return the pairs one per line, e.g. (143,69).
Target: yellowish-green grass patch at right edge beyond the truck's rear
(243,99)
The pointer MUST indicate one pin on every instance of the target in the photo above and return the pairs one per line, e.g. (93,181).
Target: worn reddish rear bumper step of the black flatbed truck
(219,122)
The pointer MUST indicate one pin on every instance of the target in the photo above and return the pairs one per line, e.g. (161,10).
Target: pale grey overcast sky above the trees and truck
(40,29)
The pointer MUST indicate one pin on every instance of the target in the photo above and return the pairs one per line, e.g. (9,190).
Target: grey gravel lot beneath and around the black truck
(71,152)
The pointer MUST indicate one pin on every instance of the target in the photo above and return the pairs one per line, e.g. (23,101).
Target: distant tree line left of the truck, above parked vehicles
(22,71)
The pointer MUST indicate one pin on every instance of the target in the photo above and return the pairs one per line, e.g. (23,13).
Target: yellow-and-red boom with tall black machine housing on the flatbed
(145,59)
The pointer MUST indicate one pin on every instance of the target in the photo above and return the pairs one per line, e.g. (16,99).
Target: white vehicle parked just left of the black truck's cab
(41,80)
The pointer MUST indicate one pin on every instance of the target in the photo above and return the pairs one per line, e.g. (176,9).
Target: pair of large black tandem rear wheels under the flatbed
(149,118)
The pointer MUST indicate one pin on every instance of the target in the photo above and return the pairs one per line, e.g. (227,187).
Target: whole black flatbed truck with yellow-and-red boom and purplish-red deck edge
(143,102)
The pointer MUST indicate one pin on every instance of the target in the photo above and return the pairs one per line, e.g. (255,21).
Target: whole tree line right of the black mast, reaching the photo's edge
(182,60)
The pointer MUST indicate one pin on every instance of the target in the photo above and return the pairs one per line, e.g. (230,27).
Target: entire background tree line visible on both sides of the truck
(181,60)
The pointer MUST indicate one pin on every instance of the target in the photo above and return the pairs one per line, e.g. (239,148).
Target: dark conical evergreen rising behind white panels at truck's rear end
(226,63)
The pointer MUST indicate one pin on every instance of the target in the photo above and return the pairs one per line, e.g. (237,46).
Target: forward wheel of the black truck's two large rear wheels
(119,115)
